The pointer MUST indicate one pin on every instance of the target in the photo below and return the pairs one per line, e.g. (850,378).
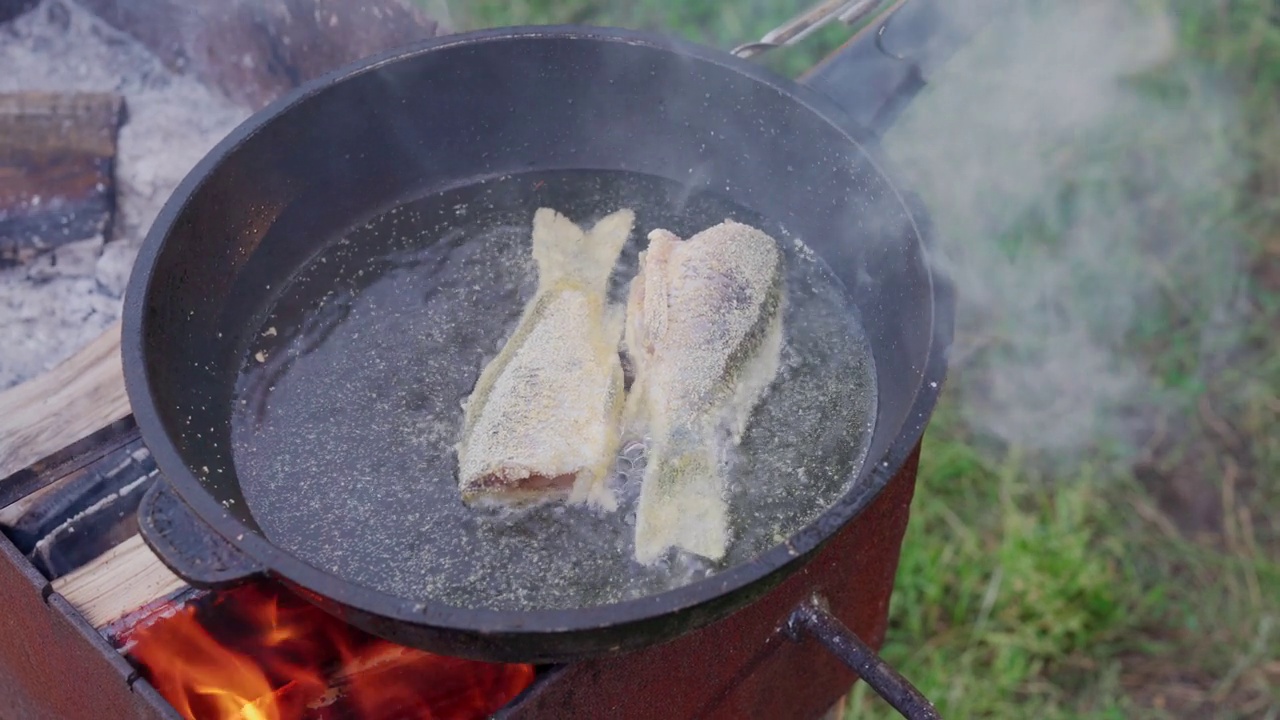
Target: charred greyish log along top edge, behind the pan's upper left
(252,51)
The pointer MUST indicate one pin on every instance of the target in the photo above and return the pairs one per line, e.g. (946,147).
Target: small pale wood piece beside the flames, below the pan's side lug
(120,582)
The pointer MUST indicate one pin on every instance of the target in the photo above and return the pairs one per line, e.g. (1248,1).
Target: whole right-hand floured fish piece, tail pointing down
(705,335)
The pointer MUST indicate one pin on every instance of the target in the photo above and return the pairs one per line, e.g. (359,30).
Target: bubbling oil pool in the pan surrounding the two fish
(349,403)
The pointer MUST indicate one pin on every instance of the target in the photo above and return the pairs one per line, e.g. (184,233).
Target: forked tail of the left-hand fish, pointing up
(564,252)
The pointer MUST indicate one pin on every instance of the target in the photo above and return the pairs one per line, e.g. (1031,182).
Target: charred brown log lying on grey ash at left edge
(57,160)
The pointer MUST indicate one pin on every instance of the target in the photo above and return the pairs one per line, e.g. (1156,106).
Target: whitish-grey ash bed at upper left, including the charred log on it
(81,198)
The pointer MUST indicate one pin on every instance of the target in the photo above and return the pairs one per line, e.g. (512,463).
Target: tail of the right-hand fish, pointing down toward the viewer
(682,504)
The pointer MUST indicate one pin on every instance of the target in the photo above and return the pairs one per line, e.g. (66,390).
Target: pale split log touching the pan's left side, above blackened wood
(53,411)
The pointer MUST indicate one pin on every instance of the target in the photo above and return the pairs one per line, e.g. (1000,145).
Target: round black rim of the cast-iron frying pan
(760,575)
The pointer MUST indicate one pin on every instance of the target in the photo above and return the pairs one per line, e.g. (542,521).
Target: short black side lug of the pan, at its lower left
(188,545)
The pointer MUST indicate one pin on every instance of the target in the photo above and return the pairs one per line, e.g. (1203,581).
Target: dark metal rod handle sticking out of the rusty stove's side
(813,619)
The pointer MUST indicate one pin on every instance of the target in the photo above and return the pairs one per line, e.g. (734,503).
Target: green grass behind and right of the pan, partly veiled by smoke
(1132,571)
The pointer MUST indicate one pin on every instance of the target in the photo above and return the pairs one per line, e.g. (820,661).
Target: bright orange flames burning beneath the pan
(258,653)
